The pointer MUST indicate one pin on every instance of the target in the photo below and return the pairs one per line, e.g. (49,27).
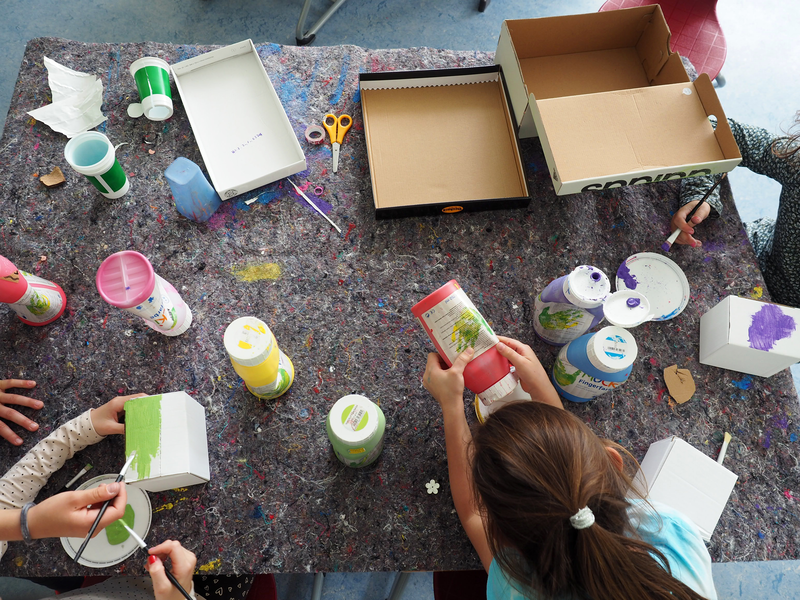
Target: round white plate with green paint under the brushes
(113,544)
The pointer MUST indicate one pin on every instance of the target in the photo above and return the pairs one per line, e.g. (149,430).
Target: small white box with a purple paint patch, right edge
(750,336)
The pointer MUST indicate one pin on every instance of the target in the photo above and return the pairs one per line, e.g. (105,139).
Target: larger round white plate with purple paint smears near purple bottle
(657,278)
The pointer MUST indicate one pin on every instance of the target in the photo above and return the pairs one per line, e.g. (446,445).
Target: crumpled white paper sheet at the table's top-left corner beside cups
(77,98)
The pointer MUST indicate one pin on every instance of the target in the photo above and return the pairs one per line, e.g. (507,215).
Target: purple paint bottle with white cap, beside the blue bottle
(571,305)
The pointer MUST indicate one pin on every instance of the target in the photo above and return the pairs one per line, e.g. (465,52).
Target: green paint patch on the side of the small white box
(143,432)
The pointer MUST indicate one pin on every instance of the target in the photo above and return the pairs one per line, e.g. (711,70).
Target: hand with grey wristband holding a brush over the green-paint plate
(71,514)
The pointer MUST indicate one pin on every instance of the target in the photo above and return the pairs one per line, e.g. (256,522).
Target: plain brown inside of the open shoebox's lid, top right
(626,131)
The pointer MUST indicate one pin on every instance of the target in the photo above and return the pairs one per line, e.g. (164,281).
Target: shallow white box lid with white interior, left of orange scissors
(238,120)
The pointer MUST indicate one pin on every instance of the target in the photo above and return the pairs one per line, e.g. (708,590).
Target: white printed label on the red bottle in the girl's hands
(455,324)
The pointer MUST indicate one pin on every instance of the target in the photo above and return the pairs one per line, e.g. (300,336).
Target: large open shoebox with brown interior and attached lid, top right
(611,103)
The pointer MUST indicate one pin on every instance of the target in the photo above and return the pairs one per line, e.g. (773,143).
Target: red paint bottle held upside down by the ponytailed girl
(454,324)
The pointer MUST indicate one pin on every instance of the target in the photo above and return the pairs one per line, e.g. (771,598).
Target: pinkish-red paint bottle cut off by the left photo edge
(36,301)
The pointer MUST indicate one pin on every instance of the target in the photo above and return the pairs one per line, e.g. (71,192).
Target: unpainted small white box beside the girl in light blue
(679,475)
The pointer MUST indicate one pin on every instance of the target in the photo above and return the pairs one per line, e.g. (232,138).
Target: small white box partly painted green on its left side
(168,433)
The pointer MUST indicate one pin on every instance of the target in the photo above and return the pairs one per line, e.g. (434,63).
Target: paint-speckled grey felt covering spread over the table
(278,499)
